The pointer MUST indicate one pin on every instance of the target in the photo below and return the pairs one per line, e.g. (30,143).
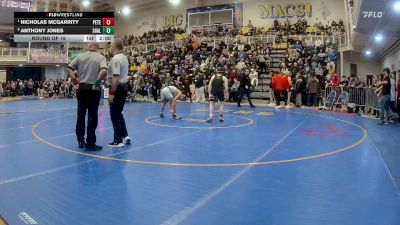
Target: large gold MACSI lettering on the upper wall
(289,10)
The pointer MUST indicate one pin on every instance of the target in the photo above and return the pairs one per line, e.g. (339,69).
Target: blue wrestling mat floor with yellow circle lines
(262,166)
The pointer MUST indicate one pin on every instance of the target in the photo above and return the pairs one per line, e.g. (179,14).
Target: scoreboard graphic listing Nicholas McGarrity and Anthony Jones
(63,26)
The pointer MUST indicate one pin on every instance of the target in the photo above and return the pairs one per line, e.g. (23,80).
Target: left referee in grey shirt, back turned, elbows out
(87,70)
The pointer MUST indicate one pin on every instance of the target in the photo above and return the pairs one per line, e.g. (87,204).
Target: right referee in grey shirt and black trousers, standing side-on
(118,76)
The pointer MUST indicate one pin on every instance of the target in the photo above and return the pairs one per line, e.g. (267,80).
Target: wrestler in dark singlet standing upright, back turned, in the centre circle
(218,91)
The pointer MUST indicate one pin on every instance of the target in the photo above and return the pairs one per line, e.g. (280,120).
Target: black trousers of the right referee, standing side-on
(117,118)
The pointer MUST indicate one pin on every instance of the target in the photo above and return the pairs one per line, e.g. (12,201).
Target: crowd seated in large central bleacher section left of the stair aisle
(191,68)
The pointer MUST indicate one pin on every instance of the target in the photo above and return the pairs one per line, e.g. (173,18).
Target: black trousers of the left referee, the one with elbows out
(88,101)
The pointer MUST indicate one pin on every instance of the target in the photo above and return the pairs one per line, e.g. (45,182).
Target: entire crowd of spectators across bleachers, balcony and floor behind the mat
(305,71)
